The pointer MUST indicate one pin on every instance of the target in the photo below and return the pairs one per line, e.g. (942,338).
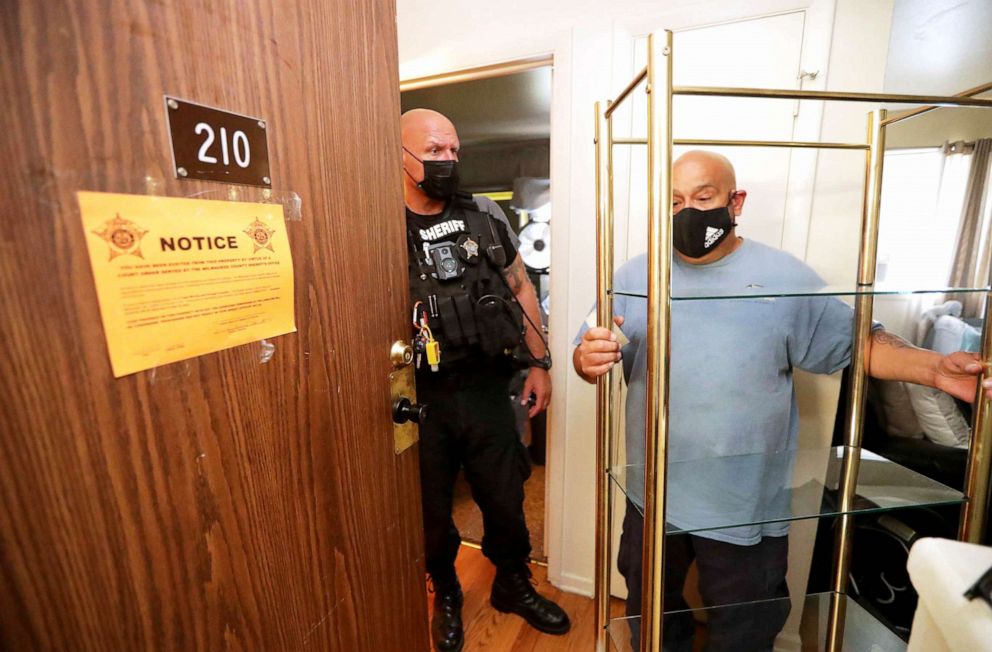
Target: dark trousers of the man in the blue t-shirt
(729,574)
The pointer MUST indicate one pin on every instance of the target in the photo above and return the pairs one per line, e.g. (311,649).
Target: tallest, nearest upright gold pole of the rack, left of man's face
(659,89)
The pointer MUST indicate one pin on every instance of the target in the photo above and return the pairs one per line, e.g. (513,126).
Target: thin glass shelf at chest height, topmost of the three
(754,291)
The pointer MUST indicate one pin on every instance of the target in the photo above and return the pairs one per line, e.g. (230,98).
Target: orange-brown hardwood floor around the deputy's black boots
(490,630)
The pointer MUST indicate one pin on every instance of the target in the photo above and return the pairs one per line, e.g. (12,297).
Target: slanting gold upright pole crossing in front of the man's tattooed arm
(854,410)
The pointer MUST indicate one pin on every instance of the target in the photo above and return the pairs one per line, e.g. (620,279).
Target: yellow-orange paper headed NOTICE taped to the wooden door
(178,278)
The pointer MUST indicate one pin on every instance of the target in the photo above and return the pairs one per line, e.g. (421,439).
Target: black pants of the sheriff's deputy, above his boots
(470,424)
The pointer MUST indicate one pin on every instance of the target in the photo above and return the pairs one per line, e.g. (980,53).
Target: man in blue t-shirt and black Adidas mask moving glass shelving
(733,417)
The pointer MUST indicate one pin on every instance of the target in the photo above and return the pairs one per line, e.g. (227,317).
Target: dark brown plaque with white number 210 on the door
(215,145)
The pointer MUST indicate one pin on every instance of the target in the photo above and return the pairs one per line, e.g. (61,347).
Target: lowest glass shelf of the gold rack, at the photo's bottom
(862,631)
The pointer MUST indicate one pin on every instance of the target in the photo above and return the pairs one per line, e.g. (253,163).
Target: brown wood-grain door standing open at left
(222,503)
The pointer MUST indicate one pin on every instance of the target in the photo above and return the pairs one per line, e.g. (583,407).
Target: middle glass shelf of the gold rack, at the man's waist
(807,488)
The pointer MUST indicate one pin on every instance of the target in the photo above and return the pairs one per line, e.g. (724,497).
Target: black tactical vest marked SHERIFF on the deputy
(469,306)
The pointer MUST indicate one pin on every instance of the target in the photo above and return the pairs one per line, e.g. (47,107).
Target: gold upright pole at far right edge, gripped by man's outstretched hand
(977,477)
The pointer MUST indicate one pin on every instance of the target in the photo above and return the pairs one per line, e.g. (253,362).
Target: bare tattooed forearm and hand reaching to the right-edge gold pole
(892,358)
